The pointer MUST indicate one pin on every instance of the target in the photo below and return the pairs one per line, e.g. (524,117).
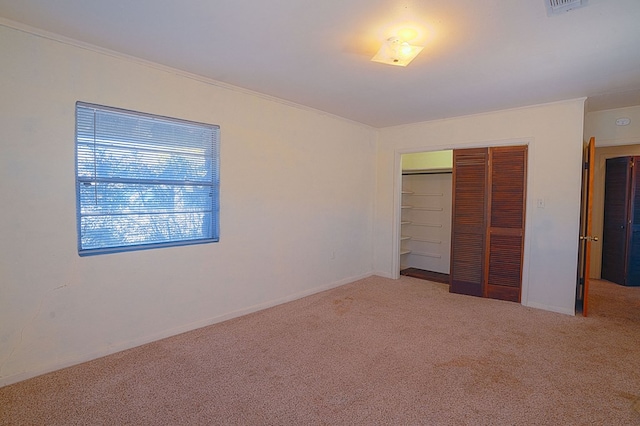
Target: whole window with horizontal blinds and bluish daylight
(144,181)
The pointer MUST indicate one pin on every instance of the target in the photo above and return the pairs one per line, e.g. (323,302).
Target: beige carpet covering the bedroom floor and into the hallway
(374,352)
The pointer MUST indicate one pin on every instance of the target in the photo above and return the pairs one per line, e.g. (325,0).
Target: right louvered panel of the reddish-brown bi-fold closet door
(505,232)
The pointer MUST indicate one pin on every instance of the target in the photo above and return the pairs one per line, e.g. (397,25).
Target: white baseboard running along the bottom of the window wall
(111,349)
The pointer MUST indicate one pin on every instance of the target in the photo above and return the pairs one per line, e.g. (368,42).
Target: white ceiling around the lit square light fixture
(479,55)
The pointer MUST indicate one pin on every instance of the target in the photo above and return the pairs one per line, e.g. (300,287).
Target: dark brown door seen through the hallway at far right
(621,229)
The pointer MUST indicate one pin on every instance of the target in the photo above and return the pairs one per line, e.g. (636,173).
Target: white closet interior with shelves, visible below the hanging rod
(426,220)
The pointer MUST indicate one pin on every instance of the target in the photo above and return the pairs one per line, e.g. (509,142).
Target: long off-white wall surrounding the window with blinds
(297,196)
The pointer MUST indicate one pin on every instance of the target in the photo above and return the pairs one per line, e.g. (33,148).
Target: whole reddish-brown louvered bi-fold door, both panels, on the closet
(489,197)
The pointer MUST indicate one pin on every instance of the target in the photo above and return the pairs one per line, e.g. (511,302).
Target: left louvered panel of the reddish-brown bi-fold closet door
(468,221)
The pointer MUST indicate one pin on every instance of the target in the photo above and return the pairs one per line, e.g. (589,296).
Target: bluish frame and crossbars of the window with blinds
(212,167)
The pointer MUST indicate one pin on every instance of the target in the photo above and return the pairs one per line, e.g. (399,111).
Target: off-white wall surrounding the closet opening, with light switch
(554,135)
